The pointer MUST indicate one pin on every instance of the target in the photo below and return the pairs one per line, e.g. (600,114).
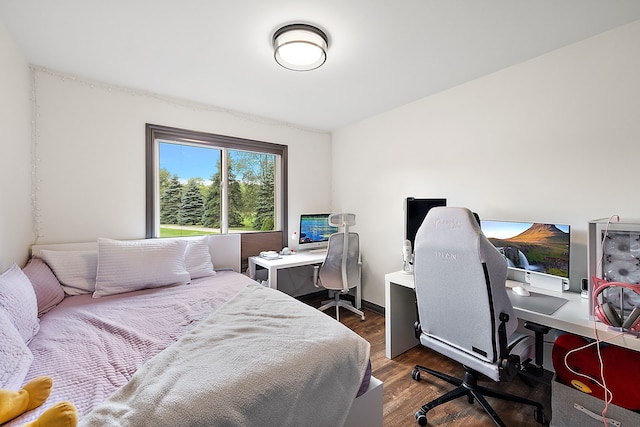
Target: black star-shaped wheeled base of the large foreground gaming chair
(469,387)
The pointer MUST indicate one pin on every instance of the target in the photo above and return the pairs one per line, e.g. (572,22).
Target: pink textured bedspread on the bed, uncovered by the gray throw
(78,348)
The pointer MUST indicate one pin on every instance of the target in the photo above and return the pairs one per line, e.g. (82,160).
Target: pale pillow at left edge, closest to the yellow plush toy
(15,356)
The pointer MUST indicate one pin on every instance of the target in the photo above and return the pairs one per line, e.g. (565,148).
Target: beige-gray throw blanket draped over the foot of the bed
(262,359)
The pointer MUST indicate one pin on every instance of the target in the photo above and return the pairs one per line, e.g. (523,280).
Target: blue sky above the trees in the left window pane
(189,162)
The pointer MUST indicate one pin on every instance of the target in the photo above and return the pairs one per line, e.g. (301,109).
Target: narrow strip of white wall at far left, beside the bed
(15,154)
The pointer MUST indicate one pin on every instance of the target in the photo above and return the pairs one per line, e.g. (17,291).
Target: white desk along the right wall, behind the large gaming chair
(573,316)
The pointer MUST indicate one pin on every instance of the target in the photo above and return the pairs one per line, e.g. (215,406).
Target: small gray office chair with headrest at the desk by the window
(340,271)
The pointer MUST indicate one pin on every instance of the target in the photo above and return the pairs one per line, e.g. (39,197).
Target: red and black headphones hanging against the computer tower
(606,311)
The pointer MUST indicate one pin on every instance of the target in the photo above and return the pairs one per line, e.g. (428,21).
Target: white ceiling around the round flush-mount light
(382,53)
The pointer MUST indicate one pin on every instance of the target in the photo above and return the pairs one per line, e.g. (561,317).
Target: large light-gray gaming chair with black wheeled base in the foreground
(464,310)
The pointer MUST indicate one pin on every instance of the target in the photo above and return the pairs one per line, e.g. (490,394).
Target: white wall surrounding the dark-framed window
(91,145)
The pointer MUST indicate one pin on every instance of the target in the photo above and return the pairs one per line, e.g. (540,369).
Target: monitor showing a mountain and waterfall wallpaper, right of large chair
(536,253)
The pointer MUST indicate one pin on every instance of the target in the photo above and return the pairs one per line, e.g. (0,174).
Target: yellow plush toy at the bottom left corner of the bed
(32,395)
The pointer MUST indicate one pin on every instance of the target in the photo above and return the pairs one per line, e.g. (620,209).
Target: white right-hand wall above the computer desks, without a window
(555,139)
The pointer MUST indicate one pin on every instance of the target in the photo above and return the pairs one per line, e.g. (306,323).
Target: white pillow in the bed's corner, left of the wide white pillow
(76,270)
